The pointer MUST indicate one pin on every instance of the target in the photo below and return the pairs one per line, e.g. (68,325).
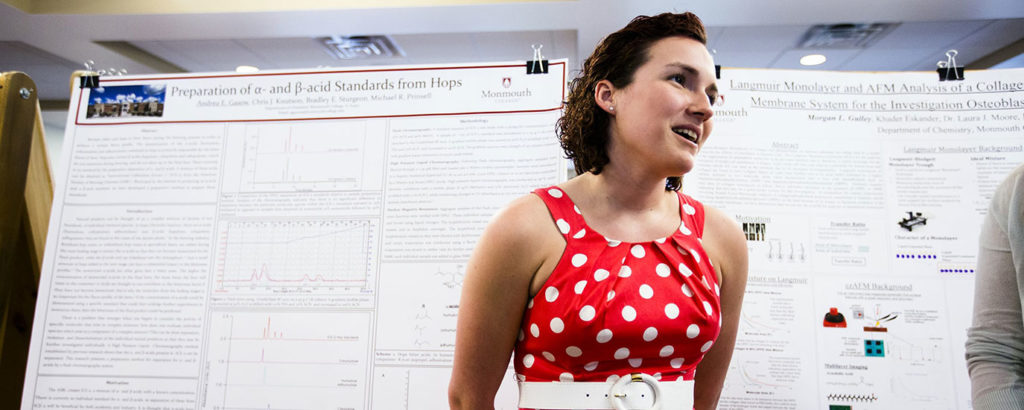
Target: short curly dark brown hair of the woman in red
(583,130)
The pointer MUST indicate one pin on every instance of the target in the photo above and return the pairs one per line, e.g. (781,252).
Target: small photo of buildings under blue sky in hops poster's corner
(127,101)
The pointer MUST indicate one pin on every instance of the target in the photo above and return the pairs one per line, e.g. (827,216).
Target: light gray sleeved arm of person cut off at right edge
(996,340)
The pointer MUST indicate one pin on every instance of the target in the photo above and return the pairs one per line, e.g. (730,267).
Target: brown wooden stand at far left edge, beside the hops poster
(26,197)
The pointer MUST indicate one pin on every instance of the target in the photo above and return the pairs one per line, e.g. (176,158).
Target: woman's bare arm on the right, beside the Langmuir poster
(727,248)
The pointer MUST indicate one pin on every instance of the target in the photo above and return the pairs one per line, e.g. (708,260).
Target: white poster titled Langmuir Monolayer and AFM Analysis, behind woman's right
(863,192)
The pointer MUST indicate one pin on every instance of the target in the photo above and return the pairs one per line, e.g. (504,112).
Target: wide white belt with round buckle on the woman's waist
(639,391)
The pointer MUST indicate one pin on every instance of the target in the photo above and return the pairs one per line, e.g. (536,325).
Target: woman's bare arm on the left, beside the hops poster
(494,297)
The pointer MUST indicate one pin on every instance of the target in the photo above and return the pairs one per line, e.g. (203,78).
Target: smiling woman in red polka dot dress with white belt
(613,273)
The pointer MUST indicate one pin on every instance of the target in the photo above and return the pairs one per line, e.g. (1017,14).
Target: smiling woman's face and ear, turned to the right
(663,118)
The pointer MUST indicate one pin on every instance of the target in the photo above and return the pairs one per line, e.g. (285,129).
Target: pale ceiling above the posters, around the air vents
(49,39)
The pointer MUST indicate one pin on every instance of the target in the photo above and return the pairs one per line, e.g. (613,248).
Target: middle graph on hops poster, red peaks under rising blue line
(330,255)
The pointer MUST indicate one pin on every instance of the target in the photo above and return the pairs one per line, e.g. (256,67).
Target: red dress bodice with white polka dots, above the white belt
(614,308)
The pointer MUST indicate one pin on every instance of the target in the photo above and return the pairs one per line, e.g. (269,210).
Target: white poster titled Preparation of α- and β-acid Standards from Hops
(282,240)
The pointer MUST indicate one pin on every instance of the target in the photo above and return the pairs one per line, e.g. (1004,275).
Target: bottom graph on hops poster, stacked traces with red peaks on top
(306,360)
